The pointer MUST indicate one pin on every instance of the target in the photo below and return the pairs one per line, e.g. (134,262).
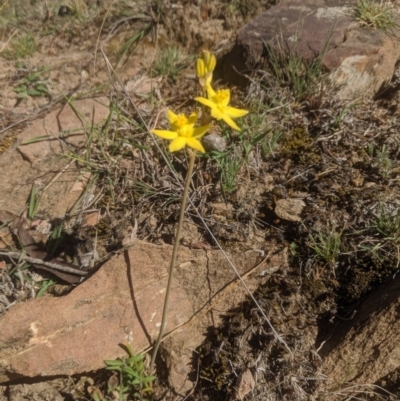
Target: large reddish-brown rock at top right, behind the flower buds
(363,58)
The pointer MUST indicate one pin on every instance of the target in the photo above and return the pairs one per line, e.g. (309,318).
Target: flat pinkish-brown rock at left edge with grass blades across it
(40,163)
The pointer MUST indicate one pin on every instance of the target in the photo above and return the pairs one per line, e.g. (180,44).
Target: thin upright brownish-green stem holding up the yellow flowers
(192,157)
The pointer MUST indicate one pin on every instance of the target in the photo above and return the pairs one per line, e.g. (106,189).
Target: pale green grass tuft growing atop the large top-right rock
(375,14)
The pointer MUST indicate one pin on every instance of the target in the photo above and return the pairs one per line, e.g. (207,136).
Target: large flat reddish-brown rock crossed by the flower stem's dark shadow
(120,303)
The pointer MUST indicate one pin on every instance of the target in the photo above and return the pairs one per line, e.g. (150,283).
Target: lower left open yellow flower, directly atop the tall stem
(183,132)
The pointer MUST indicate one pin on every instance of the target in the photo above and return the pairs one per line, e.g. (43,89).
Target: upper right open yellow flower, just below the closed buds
(218,103)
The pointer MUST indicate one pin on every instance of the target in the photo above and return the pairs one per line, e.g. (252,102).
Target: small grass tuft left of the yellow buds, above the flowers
(170,62)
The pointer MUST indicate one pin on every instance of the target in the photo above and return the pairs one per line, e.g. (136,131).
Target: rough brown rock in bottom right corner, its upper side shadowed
(364,348)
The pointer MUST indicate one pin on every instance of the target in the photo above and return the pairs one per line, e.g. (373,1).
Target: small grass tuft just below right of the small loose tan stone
(326,245)
